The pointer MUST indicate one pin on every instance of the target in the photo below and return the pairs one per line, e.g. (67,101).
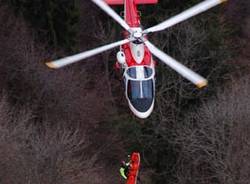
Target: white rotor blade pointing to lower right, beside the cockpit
(178,67)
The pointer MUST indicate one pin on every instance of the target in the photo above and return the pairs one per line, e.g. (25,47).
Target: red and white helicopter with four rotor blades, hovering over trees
(135,55)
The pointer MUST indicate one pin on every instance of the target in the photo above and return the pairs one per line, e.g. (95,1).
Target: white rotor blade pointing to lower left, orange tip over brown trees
(72,59)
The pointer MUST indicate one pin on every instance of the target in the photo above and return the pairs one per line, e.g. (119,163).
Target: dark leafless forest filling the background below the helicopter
(73,125)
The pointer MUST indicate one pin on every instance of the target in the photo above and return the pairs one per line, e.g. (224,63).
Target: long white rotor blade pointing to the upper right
(199,8)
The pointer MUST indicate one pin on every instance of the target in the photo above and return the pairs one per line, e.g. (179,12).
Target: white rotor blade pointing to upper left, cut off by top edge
(112,13)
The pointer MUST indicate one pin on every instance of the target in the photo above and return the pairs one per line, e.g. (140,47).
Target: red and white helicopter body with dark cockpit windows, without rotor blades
(138,65)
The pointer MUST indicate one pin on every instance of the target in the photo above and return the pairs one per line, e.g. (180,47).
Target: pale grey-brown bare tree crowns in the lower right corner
(214,141)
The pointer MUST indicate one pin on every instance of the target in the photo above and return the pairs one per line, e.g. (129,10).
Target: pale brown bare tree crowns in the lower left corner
(42,155)
